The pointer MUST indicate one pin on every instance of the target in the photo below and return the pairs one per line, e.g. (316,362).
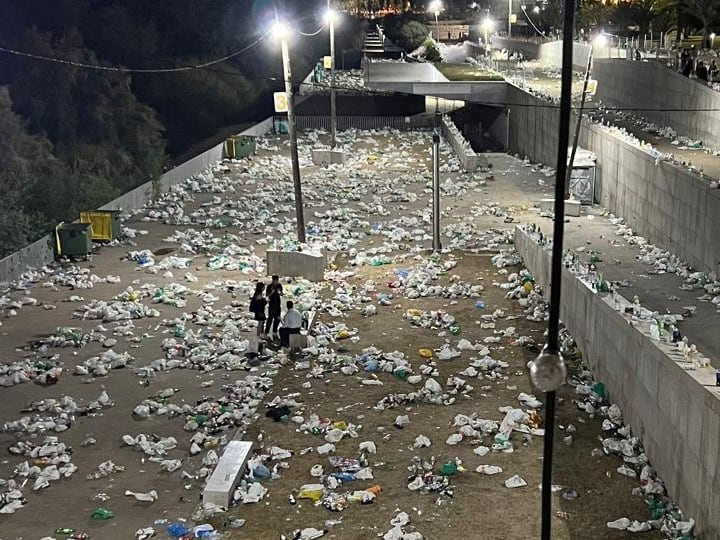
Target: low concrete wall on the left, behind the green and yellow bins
(40,252)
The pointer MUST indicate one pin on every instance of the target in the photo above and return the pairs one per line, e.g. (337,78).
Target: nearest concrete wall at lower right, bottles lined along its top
(675,412)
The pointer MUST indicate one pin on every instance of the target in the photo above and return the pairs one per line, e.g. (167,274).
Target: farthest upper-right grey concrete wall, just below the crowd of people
(664,96)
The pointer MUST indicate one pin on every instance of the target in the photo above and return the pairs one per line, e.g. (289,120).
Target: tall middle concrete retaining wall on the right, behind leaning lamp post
(667,204)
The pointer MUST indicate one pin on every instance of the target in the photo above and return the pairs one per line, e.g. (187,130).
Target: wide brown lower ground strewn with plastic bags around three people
(123,377)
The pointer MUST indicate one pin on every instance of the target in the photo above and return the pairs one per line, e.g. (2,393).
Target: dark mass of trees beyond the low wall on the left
(74,139)
